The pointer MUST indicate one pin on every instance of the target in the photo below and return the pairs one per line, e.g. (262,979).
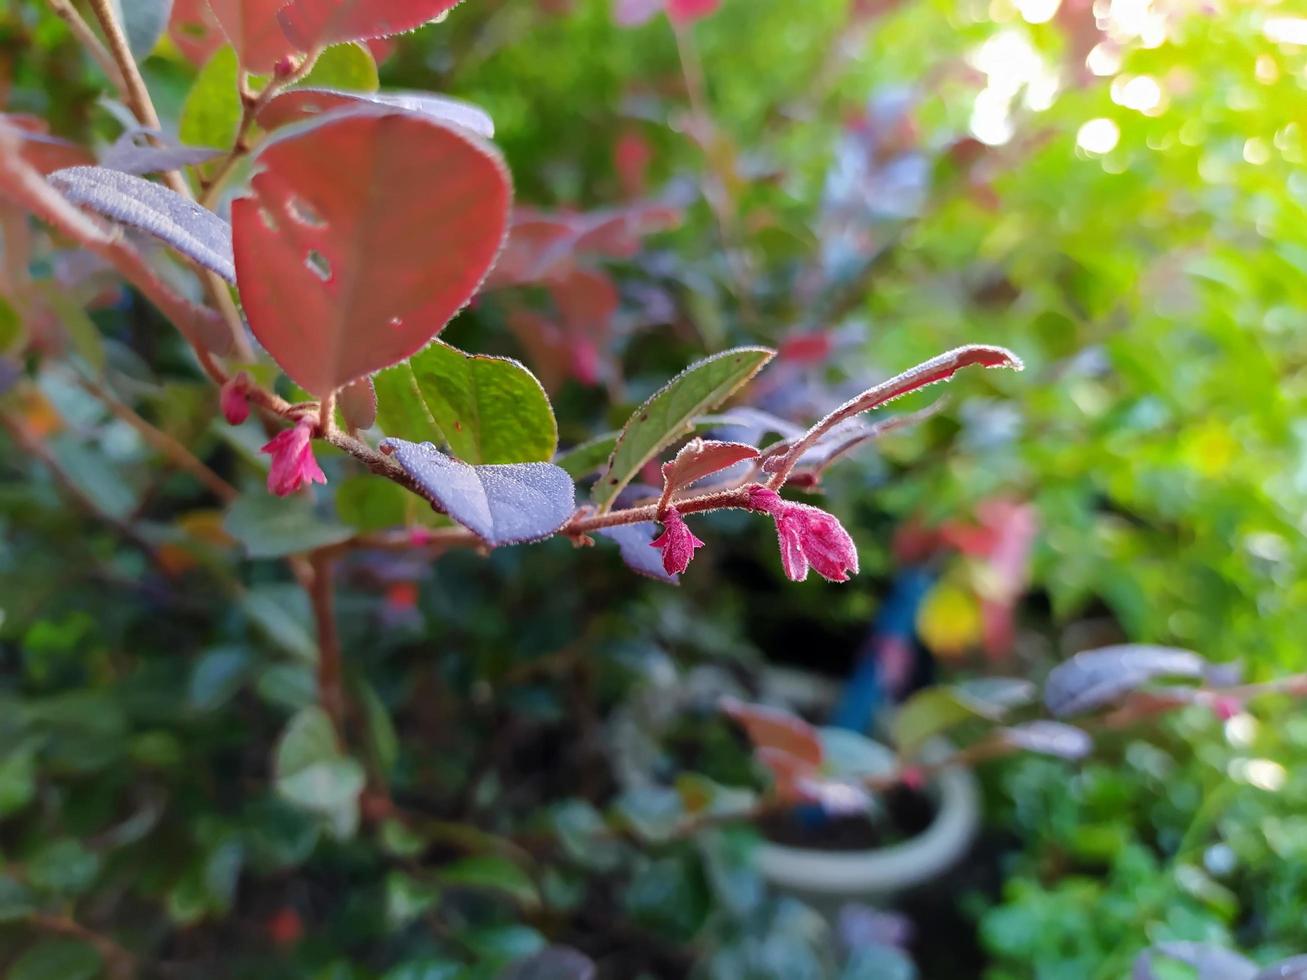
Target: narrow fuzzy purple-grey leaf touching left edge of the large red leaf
(197,233)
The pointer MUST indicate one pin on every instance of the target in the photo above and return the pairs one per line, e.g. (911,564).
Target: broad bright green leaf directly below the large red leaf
(486,410)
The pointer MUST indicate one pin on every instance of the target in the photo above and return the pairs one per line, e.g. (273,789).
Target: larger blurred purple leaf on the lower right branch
(1097,678)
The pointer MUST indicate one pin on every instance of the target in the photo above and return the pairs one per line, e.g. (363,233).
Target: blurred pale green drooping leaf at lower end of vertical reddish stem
(314,774)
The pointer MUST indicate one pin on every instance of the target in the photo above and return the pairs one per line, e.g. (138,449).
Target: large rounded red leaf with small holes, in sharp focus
(365,235)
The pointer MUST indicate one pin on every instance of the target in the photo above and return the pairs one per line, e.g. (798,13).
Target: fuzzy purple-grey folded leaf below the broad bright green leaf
(503,504)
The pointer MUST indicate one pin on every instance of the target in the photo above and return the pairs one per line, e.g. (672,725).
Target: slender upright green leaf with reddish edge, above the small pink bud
(671,411)
